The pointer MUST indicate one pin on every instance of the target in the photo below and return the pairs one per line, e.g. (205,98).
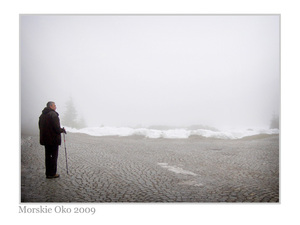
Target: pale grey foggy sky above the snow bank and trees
(220,71)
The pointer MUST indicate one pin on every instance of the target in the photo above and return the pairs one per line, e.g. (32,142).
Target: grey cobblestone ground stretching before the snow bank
(135,169)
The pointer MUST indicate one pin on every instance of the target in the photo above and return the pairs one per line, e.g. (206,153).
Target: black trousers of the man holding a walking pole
(51,159)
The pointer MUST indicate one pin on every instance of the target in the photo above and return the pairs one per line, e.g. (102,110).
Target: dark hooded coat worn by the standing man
(49,125)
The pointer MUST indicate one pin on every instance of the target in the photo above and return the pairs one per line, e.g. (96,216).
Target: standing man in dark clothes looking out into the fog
(50,137)
